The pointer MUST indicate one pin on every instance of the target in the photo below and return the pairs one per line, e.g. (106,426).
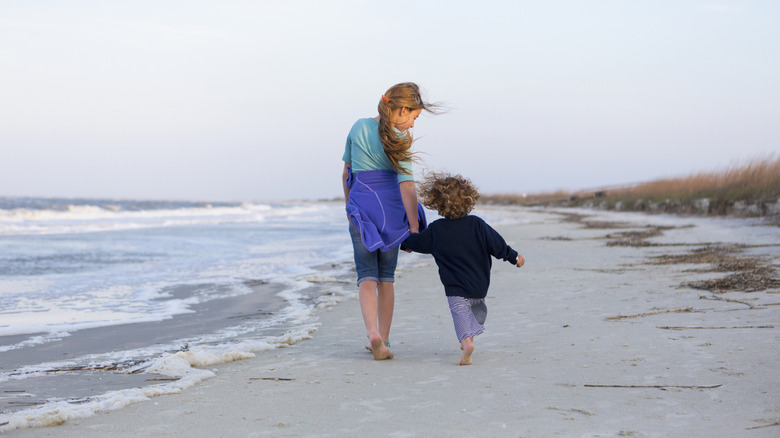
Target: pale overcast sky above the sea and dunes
(252,100)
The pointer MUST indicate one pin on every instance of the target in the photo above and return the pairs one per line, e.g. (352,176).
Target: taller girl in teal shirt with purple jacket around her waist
(382,203)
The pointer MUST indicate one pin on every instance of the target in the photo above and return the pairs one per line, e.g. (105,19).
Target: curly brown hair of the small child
(453,196)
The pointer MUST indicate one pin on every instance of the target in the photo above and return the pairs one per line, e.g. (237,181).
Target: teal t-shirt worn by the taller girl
(365,151)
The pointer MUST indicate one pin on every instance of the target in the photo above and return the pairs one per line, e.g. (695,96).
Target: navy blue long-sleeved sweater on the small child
(462,249)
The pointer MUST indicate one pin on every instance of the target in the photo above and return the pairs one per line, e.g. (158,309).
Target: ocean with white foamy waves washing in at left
(107,302)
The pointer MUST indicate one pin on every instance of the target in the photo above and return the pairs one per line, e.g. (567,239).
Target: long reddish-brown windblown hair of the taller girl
(398,147)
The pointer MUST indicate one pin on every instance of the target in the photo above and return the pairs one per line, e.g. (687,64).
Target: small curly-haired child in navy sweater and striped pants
(462,246)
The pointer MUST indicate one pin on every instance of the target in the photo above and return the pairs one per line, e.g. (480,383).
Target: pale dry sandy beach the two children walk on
(597,335)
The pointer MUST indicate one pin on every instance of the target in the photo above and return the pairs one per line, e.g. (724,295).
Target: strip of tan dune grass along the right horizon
(750,189)
